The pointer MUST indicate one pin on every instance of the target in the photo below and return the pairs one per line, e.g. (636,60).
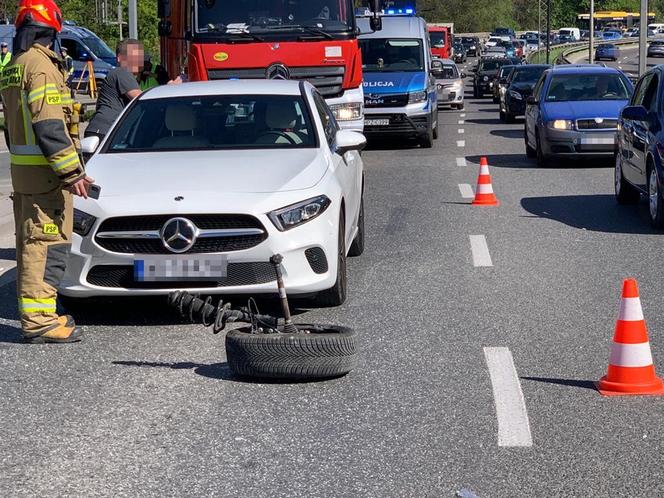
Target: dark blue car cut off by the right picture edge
(640,138)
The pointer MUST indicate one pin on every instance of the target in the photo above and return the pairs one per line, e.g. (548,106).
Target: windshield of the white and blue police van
(398,54)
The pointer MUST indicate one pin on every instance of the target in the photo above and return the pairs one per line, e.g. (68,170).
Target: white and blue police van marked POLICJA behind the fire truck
(400,97)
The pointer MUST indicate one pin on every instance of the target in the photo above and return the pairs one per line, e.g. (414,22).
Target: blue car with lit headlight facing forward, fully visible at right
(574,112)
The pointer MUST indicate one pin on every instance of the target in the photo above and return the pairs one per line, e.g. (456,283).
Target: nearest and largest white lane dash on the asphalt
(513,424)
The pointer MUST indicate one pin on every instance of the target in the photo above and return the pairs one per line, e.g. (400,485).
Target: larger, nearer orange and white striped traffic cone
(631,370)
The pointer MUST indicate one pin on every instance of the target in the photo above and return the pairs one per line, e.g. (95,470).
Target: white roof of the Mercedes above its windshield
(224,87)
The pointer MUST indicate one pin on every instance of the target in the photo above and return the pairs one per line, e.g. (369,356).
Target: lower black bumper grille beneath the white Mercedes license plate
(238,274)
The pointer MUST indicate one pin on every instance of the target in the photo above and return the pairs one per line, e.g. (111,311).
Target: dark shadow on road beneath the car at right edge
(599,213)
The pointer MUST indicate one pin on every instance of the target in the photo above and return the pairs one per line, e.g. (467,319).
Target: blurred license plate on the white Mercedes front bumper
(179,268)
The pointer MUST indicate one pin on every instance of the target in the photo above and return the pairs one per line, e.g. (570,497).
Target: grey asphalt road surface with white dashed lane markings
(146,406)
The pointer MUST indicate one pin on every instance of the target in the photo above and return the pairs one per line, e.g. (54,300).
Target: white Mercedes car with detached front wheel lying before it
(201,183)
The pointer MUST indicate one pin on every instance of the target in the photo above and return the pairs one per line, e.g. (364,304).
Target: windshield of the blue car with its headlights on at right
(580,87)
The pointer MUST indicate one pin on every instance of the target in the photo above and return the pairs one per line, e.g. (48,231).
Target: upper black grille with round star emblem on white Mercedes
(145,224)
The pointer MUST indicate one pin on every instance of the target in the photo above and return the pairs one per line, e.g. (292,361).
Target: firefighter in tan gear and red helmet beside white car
(45,169)
